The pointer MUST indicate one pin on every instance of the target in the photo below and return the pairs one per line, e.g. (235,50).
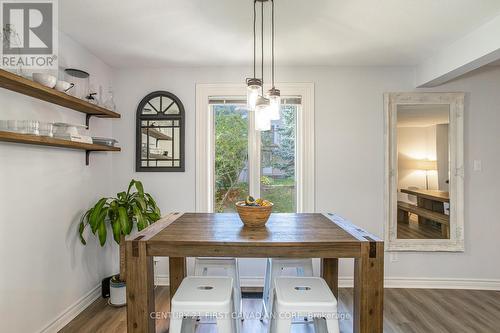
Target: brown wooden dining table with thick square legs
(302,235)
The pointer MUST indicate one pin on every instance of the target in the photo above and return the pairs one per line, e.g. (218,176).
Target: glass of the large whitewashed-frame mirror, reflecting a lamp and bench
(423,207)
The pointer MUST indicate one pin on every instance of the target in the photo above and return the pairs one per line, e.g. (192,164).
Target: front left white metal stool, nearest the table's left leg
(203,296)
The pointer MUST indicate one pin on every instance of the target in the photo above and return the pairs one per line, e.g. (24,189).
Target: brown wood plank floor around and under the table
(405,310)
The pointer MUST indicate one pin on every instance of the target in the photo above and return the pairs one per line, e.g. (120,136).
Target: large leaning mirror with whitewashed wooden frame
(424,171)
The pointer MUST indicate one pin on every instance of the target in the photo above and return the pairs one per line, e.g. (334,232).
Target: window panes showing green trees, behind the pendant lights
(231,163)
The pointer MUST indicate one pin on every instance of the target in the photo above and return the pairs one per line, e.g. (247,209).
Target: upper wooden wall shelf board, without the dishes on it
(27,87)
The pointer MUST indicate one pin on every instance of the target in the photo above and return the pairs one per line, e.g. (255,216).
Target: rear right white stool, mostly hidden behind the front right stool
(274,269)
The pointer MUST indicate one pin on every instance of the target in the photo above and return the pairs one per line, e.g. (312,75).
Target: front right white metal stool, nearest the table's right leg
(299,297)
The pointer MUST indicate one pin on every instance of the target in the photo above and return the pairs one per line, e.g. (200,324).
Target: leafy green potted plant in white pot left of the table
(133,207)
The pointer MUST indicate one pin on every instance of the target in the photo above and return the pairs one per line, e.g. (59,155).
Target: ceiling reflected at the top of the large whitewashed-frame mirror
(423,115)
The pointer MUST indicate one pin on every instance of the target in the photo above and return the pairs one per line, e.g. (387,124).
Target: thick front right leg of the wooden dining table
(369,288)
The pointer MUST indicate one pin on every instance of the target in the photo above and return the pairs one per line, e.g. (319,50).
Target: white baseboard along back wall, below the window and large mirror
(390,282)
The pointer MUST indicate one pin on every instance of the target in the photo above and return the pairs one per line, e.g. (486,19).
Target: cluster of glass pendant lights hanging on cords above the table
(266,107)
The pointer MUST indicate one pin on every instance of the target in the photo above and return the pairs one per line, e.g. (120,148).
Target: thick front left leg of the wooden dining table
(140,288)
